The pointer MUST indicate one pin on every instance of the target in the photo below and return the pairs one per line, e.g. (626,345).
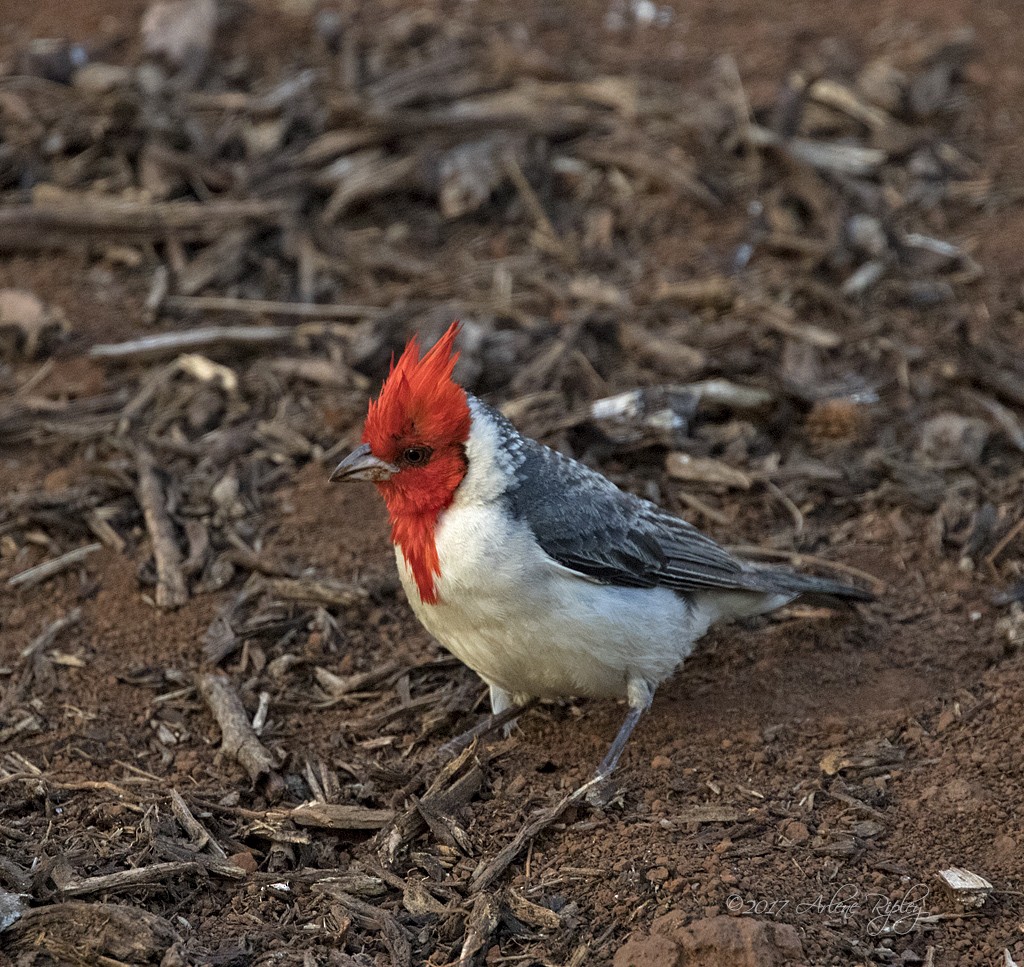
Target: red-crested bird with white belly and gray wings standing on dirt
(534,570)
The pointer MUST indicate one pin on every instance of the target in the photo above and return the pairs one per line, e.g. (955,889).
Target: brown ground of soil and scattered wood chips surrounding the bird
(759,263)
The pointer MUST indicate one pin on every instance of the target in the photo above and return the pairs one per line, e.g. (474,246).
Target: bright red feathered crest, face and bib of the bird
(420,406)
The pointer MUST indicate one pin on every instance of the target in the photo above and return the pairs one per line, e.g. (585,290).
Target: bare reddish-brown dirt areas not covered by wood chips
(923,686)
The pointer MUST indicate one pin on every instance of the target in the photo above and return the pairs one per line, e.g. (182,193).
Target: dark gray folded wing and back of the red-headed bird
(586,524)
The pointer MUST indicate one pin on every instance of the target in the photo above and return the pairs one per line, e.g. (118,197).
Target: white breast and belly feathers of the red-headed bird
(527,624)
